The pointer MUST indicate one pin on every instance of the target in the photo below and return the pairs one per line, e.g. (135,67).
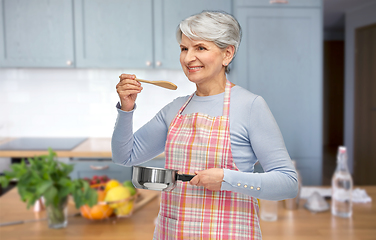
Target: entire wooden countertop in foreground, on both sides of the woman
(297,224)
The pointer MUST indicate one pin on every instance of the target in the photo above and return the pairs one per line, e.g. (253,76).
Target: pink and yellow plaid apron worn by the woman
(197,142)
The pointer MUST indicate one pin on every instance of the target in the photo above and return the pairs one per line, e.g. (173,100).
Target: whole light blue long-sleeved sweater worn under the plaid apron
(254,135)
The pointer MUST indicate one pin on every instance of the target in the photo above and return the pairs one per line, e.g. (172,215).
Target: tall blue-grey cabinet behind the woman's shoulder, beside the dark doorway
(280,59)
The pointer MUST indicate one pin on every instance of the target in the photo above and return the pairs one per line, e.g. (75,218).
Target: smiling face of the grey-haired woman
(202,60)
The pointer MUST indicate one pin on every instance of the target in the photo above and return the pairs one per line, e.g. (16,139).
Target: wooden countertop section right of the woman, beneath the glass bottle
(301,224)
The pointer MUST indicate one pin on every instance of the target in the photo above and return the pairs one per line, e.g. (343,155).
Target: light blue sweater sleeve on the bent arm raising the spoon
(146,143)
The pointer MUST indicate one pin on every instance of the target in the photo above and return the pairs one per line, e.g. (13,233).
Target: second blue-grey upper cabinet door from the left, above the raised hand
(114,33)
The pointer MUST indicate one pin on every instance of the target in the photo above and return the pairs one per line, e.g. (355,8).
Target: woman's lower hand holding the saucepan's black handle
(210,178)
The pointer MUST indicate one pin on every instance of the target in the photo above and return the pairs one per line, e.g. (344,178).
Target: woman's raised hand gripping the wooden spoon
(127,89)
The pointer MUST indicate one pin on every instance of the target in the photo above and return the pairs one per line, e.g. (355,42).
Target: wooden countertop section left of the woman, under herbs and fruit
(139,226)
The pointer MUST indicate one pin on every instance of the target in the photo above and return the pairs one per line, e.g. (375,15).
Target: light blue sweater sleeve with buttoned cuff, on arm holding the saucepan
(279,180)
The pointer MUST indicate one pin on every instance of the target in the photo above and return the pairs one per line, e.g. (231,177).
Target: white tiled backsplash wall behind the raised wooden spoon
(76,102)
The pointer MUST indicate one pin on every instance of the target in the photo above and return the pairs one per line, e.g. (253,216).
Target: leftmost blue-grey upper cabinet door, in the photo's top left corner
(36,33)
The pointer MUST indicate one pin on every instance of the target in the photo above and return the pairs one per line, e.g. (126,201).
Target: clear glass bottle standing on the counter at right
(342,185)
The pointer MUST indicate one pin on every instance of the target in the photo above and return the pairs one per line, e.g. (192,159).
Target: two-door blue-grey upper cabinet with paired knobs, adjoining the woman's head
(133,34)
